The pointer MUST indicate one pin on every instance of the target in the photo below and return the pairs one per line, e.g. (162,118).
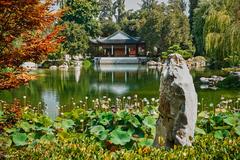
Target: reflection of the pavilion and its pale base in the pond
(117,79)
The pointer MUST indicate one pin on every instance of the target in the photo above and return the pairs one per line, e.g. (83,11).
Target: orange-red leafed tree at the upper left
(27,31)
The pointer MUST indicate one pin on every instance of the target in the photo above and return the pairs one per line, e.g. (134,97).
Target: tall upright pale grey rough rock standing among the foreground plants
(178,104)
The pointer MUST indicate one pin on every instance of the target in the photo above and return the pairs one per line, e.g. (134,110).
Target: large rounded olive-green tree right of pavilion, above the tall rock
(164,26)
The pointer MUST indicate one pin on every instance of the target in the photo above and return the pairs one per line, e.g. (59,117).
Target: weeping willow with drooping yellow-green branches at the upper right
(221,32)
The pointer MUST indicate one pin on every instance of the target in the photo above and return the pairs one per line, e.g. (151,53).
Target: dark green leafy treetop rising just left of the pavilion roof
(84,13)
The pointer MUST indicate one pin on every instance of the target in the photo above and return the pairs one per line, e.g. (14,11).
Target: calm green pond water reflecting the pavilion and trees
(58,88)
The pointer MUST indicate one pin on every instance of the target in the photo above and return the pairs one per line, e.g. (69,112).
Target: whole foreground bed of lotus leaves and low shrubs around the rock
(104,133)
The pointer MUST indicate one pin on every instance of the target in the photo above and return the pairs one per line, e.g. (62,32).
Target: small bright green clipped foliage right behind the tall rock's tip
(177,49)
